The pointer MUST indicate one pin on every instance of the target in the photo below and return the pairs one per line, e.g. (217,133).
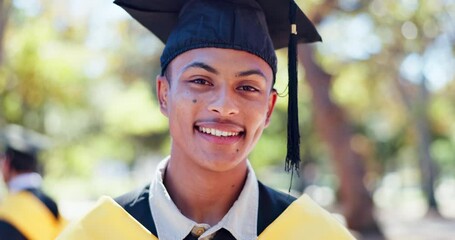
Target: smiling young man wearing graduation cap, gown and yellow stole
(216,88)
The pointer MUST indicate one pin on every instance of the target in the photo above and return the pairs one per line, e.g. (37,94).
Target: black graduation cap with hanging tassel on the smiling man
(255,26)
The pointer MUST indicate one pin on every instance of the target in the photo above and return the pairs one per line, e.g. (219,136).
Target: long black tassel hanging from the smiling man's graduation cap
(293,146)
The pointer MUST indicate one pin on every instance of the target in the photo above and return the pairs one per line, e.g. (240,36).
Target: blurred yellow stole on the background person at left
(30,216)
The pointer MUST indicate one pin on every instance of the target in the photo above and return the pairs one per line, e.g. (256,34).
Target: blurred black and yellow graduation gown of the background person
(29,214)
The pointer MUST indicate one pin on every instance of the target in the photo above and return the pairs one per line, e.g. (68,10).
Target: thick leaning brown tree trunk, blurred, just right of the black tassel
(336,132)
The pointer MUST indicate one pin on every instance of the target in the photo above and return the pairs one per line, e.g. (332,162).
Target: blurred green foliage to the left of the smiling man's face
(55,82)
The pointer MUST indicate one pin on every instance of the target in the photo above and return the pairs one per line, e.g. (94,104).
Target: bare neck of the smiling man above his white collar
(200,194)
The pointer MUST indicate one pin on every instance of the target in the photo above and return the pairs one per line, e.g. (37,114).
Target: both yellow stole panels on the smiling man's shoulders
(303,219)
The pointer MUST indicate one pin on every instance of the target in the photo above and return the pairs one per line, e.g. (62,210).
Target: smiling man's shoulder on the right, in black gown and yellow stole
(278,212)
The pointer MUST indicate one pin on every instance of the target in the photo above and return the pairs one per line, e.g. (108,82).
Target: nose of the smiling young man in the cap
(224,104)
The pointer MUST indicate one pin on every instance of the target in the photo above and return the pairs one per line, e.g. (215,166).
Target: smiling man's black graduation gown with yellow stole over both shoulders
(280,216)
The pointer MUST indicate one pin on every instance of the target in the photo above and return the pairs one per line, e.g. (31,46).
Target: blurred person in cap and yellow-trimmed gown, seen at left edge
(26,212)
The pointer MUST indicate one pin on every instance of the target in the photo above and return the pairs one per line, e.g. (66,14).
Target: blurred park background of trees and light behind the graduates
(377,108)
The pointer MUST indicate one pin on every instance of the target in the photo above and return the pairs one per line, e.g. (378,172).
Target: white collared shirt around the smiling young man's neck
(171,224)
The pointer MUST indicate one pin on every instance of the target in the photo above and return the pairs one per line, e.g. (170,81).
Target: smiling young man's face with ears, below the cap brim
(218,102)
